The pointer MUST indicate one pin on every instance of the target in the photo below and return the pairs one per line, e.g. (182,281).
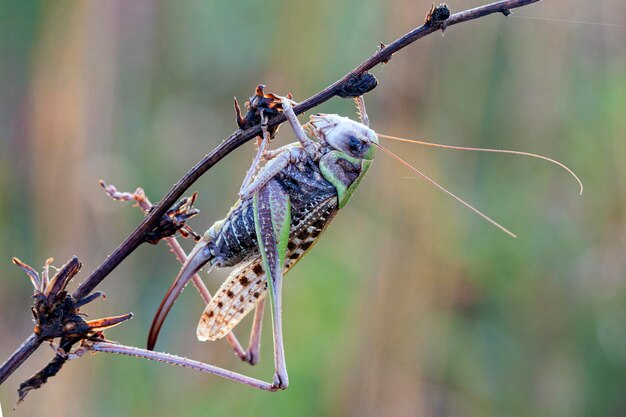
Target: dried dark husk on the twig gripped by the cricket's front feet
(269,104)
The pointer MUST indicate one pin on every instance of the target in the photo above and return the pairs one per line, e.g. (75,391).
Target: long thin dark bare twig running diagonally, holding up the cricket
(136,238)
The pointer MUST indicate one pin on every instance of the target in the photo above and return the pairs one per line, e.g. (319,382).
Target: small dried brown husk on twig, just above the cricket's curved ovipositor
(174,221)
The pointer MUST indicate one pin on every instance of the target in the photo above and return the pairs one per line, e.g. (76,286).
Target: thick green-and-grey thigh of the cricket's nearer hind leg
(272,220)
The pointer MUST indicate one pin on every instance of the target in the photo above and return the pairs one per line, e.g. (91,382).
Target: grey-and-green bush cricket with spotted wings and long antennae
(282,210)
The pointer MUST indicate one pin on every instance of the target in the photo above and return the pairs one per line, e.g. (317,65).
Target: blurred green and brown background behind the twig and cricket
(410,305)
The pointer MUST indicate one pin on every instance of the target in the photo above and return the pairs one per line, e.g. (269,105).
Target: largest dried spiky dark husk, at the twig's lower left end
(57,315)
